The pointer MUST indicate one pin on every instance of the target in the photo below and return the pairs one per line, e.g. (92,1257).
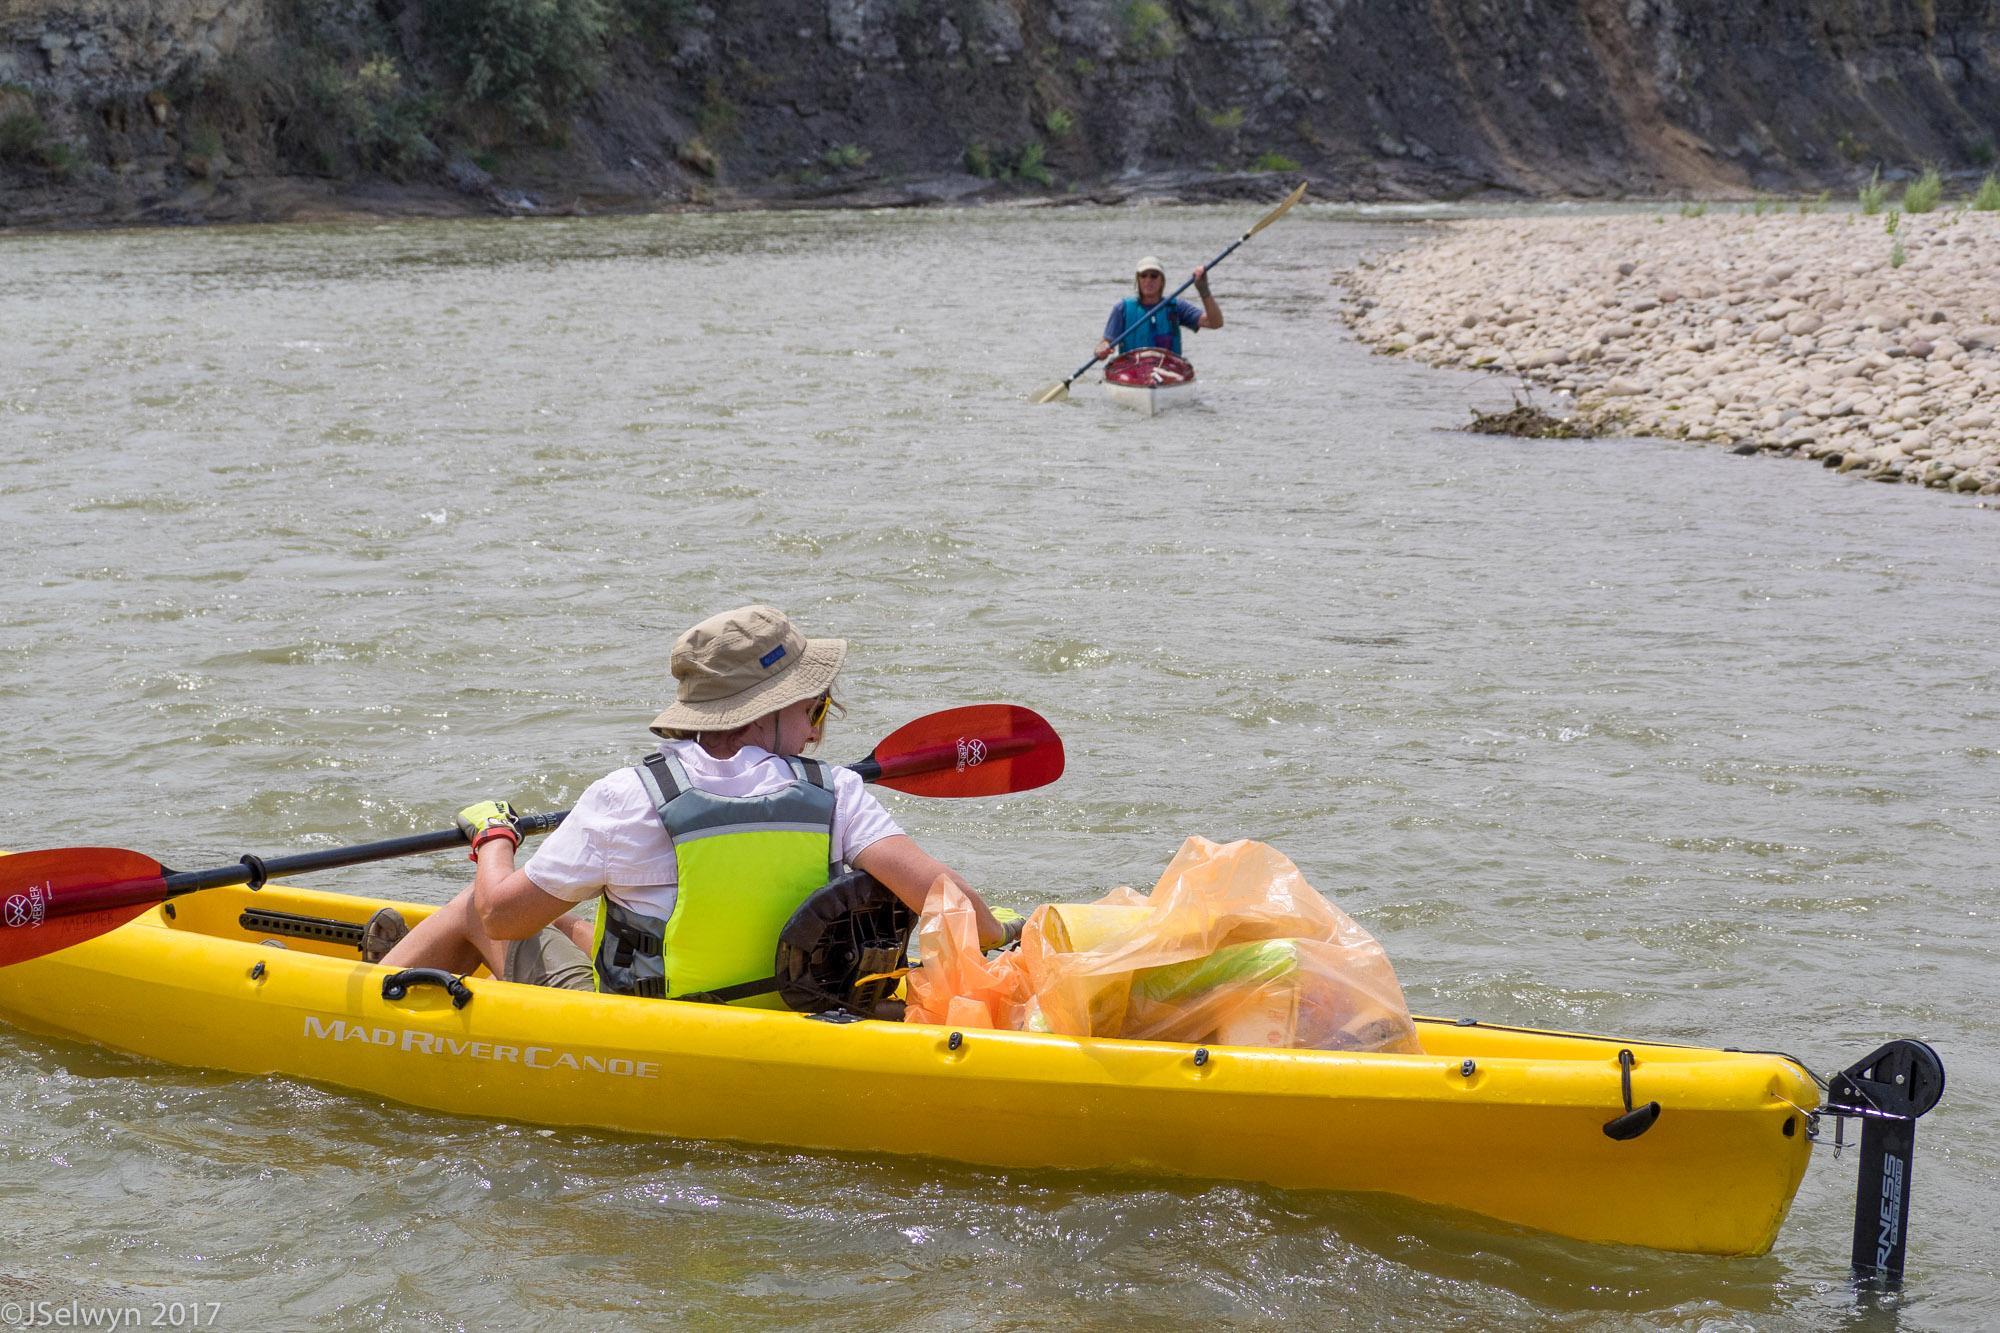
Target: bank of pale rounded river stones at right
(1869,343)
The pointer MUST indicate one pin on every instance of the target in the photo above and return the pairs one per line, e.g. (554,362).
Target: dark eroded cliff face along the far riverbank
(215,109)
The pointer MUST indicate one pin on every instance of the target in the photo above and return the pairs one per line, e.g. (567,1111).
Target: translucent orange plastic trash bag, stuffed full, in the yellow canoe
(1231,948)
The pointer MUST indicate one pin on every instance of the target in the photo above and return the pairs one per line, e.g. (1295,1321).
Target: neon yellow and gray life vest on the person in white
(745,868)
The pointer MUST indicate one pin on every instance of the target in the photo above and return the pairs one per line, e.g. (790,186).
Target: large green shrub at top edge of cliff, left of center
(527,59)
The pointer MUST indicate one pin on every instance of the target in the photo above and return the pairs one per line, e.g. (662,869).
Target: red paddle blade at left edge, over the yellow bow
(55,900)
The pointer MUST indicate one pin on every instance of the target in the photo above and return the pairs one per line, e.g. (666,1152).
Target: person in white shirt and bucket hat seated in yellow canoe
(701,854)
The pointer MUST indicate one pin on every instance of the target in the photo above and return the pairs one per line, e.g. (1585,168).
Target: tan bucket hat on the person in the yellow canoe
(741,665)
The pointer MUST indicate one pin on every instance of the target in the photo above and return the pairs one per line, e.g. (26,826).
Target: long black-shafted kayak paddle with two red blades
(53,900)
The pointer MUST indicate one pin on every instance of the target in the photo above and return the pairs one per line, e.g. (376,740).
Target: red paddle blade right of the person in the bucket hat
(977,752)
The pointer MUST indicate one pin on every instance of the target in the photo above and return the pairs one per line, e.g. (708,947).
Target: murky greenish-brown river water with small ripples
(313,535)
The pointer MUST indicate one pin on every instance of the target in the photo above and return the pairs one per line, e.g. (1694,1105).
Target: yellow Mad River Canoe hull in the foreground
(1499,1122)
